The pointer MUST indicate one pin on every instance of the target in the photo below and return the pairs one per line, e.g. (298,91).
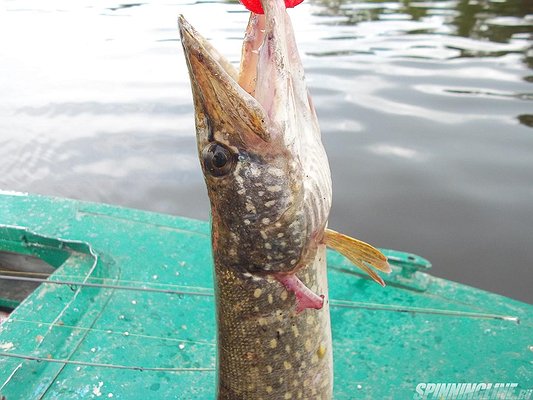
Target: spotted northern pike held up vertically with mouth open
(269,186)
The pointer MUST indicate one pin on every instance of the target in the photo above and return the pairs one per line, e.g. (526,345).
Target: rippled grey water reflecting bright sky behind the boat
(426,111)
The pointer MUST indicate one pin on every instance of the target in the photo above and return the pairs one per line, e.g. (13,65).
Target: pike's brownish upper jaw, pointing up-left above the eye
(218,98)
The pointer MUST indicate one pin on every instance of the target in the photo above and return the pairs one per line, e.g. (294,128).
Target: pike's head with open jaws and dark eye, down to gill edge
(259,145)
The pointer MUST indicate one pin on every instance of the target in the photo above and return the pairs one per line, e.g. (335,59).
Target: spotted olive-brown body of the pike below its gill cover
(266,349)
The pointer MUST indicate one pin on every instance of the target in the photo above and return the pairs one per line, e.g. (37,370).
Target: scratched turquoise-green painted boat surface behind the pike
(136,319)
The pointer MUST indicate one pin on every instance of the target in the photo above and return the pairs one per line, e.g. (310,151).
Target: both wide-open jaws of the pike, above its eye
(267,98)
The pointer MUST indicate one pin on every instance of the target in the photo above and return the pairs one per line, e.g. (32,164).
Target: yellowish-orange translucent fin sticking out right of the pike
(359,253)
